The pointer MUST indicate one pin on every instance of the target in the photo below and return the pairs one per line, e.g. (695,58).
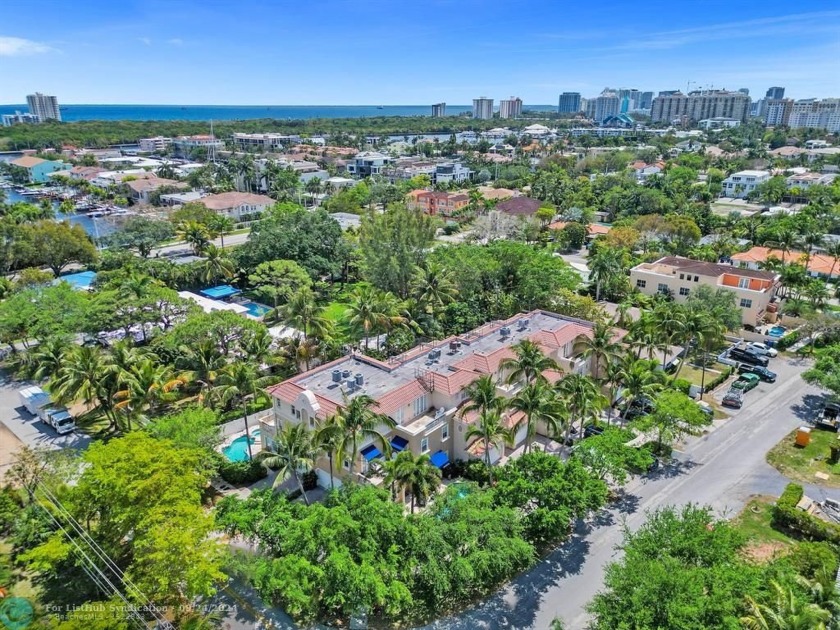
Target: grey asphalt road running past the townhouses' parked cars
(721,469)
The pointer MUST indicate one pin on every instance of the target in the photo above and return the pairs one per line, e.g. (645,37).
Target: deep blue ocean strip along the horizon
(70,113)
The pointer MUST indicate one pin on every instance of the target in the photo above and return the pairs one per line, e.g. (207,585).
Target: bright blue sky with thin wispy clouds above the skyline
(349,52)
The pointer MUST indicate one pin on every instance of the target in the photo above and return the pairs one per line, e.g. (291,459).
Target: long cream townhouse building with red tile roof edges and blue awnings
(422,389)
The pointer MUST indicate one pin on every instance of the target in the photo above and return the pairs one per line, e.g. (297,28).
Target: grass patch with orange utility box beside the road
(801,464)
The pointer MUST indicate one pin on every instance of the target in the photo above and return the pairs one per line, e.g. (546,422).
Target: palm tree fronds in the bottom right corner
(786,612)
